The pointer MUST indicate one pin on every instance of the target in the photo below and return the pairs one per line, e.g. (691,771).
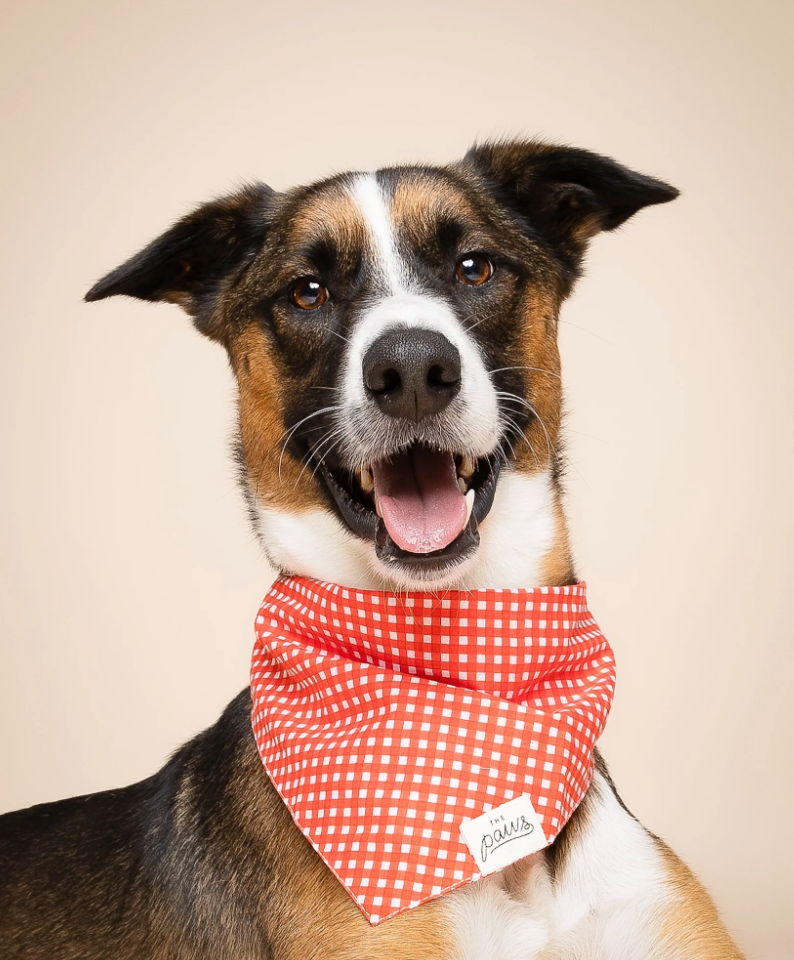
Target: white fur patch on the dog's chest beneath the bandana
(612,883)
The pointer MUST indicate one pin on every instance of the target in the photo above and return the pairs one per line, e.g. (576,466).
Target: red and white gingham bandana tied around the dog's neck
(386,721)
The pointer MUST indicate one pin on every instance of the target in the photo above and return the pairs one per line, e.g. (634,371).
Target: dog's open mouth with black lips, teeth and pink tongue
(420,506)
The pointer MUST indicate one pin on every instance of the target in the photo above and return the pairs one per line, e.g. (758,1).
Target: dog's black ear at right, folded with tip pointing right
(565,194)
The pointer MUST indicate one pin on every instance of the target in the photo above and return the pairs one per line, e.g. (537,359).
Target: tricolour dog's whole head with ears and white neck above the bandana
(393,336)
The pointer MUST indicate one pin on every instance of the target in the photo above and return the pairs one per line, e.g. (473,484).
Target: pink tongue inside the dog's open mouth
(417,495)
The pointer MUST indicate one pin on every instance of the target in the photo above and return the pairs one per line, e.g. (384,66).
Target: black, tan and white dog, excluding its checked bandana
(393,337)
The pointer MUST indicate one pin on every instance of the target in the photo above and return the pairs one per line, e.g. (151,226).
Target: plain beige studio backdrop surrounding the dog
(129,578)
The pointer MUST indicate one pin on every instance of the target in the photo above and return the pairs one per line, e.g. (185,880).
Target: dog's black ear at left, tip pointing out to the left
(188,264)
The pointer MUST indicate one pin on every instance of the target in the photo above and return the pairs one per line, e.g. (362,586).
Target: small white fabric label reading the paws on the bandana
(503,835)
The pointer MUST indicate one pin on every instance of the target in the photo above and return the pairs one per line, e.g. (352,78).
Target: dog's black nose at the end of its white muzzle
(412,373)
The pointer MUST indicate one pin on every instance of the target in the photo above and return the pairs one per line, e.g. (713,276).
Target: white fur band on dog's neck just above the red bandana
(524,543)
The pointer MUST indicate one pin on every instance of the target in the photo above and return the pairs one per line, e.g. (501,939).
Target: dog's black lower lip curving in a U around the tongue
(357,511)
